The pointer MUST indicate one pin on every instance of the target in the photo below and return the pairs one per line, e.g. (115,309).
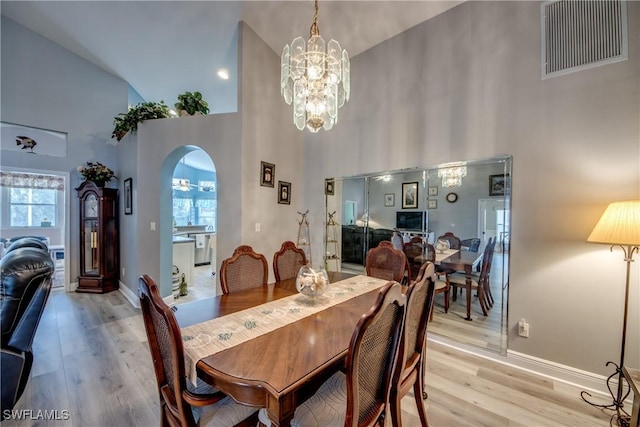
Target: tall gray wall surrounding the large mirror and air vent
(466,85)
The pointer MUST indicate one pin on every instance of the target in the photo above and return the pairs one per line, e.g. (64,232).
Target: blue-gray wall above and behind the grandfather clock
(46,86)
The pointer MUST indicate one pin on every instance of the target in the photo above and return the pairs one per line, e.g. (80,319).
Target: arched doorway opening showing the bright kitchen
(194,217)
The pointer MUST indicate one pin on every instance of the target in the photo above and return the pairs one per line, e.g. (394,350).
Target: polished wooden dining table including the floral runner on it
(305,341)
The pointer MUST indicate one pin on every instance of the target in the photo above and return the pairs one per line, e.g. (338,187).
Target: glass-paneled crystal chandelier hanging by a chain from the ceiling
(315,77)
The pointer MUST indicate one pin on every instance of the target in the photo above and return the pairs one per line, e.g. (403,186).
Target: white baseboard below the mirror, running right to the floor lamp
(587,381)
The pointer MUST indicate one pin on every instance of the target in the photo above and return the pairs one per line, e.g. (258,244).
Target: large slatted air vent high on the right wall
(582,34)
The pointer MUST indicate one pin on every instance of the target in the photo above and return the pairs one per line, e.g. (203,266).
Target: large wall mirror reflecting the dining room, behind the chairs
(471,199)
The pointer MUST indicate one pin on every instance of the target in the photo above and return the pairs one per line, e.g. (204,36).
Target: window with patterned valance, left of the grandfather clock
(34,200)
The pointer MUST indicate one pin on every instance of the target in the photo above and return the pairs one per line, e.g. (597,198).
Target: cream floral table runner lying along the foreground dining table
(215,335)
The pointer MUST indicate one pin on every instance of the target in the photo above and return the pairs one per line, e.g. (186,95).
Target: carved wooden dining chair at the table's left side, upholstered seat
(181,403)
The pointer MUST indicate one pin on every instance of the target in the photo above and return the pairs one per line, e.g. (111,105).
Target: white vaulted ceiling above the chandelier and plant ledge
(163,48)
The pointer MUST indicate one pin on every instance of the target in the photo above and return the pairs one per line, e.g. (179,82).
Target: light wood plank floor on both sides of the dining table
(91,358)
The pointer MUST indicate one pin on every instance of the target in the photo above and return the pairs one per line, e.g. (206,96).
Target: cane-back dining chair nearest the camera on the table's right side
(360,397)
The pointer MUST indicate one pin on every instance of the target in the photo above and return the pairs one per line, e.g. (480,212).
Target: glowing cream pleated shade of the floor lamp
(618,225)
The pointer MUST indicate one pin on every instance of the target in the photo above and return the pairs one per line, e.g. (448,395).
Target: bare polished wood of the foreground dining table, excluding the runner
(282,368)
